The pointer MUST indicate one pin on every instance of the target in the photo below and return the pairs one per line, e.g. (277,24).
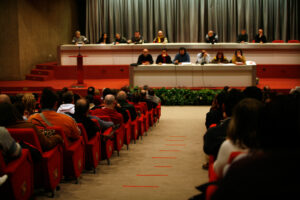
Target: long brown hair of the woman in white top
(246,123)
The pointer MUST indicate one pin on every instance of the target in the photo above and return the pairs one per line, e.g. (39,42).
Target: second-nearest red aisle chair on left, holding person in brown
(48,171)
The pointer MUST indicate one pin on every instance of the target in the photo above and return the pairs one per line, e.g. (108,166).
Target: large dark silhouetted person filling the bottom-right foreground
(272,170)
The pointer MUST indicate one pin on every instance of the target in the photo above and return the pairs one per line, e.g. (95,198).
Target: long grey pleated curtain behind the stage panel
(190,20)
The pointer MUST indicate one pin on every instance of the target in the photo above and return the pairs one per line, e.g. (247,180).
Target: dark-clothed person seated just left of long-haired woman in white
(215,136)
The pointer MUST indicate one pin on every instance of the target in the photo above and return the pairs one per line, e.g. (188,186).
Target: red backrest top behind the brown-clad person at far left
(27,135)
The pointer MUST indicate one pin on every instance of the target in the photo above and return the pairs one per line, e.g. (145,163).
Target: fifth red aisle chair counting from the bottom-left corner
(106,144)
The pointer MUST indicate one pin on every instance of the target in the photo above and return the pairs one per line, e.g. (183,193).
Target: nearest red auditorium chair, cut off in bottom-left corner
(19,184)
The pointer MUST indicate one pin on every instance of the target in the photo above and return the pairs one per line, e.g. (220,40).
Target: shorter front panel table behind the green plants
(192,75)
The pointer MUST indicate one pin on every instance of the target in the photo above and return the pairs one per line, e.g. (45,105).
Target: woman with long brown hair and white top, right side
(243,130)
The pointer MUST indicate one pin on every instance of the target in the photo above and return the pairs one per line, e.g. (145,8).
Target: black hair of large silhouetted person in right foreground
(281,123)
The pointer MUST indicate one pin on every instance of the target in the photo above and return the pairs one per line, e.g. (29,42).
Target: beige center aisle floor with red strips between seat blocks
(166,164)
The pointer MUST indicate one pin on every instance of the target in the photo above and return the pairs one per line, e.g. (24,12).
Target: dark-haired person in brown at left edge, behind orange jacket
(12,119)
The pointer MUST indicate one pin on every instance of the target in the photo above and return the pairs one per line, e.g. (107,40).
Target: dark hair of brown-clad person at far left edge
(9,114)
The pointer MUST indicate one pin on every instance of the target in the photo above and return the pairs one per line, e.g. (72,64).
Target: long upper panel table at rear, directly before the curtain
(109,54)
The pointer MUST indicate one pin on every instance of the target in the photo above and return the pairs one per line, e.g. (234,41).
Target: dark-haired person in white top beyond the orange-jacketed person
(68,106)
